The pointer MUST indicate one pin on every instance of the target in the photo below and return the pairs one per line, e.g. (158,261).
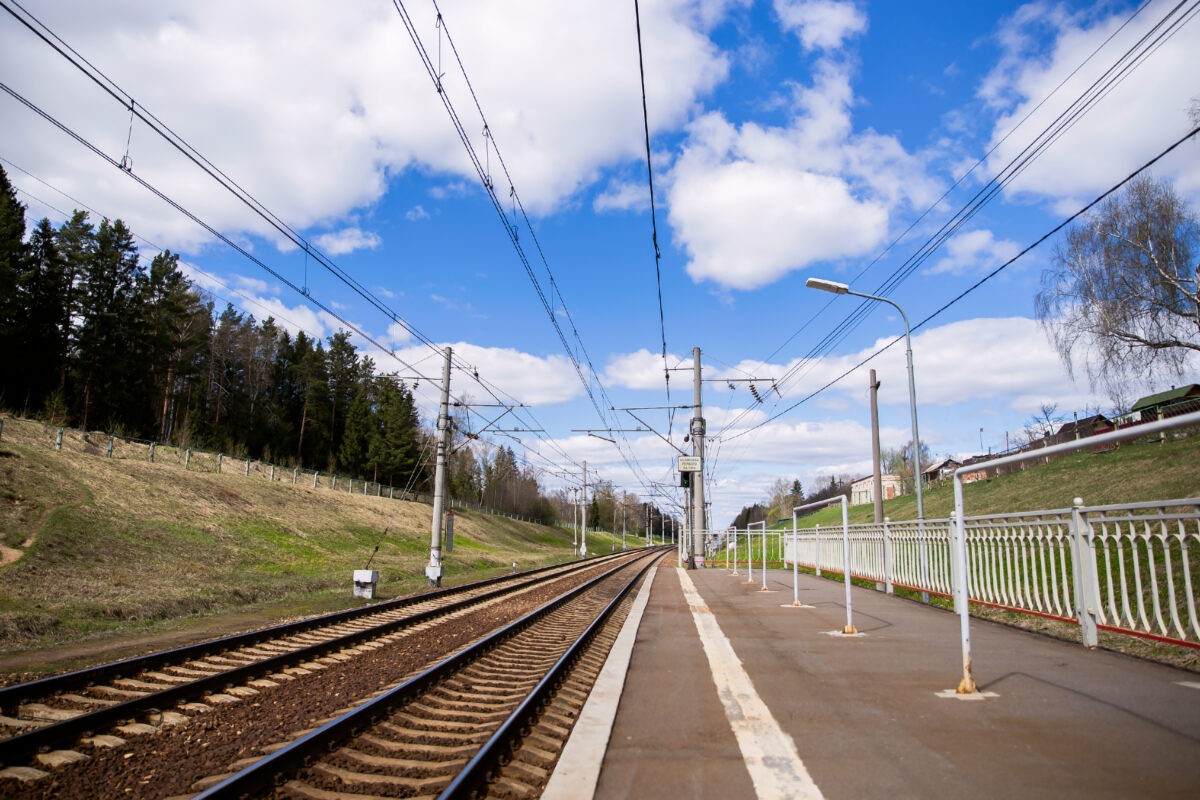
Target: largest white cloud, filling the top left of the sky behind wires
(311,107)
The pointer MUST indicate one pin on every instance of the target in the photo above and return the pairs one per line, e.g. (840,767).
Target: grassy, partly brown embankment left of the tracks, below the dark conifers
(98,549)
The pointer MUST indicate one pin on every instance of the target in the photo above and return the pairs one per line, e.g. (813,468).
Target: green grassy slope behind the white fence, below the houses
(1137,471)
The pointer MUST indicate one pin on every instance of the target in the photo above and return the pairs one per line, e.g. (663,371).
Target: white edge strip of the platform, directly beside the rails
(578,772)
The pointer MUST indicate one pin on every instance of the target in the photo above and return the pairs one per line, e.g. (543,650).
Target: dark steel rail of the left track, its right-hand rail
(20,749)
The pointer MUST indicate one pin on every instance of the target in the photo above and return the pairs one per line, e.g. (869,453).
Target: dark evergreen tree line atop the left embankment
(93,336)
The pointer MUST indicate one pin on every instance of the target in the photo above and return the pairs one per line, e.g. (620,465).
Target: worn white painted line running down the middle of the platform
(770,754)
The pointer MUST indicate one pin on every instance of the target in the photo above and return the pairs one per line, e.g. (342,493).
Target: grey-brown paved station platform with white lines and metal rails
(731,693)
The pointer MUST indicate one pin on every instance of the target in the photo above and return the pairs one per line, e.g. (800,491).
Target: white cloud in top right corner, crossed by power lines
(1114,137)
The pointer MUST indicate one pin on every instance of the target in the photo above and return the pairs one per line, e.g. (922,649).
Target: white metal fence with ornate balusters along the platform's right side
(1132,568)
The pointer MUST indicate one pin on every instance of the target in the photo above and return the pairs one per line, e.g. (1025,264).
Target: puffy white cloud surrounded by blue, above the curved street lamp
(751,203)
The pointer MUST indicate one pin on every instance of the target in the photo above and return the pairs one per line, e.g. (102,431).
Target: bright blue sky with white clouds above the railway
(475,175)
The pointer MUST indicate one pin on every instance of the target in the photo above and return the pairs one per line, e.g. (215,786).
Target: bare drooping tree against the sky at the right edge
(1121,297)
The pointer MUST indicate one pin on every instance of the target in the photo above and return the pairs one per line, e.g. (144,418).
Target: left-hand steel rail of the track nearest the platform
(271,772)
